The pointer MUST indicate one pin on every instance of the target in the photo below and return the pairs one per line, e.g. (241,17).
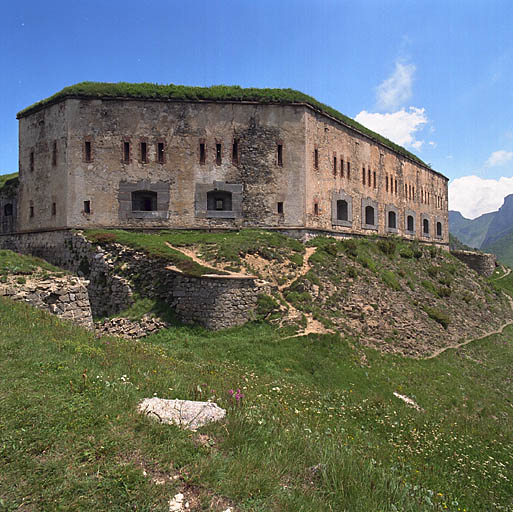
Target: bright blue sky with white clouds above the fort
(435,76)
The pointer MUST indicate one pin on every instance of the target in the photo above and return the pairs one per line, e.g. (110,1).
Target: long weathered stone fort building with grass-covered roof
(150,156)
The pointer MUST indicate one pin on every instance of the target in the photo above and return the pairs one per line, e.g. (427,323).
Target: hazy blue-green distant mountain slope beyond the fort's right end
(491,232)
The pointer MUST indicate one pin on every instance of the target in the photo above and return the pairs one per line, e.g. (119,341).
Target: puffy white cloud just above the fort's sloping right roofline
(399,127)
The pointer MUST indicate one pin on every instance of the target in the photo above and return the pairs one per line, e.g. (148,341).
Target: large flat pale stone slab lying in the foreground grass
(184,413)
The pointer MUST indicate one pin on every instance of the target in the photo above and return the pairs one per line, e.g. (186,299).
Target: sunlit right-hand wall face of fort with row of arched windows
(349,164)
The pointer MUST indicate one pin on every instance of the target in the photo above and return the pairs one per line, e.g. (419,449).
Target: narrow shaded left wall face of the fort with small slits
(43,190)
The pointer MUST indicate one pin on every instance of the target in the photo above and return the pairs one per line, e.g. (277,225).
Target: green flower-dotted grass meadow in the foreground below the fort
(317,429)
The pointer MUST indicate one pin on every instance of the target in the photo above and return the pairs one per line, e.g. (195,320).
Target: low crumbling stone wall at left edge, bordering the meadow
(65,296)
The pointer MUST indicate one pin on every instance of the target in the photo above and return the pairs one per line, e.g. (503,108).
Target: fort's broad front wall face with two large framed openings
(180,178)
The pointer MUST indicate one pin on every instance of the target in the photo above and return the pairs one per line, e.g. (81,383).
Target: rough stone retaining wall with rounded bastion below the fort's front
(115,272)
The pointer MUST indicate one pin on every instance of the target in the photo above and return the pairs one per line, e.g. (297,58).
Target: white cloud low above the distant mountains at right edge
(473,196)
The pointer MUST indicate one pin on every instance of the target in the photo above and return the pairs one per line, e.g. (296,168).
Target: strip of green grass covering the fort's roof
(213,93)
